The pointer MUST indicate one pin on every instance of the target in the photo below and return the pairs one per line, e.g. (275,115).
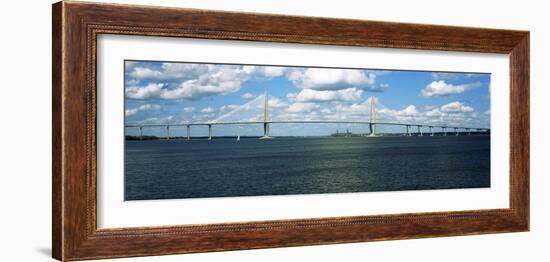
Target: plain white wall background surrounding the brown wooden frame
(25,147)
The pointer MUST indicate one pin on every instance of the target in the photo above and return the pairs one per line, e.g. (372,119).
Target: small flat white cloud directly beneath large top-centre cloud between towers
(310,95)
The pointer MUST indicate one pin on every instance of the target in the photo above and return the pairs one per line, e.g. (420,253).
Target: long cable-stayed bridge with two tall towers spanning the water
(421,129)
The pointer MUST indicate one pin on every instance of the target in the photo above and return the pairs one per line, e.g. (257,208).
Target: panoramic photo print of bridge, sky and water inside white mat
(199,130)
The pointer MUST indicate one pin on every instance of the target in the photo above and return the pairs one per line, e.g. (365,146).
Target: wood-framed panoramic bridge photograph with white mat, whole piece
(181,130)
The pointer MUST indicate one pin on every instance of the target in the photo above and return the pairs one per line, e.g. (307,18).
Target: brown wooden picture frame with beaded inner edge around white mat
(76,26)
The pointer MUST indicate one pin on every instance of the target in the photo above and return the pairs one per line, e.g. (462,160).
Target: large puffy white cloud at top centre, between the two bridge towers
(330,79)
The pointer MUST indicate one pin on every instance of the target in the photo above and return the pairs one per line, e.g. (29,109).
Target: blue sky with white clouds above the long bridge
(177,92)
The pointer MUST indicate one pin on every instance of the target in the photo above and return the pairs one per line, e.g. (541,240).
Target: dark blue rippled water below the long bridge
(171,169)
